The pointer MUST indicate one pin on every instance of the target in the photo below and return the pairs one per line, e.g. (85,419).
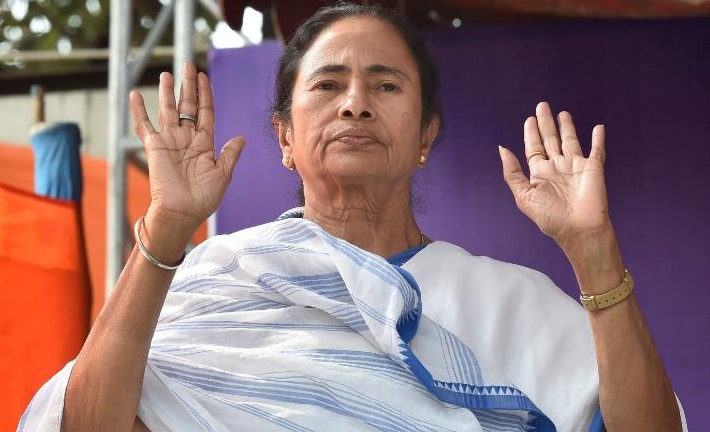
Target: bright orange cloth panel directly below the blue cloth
(45,296)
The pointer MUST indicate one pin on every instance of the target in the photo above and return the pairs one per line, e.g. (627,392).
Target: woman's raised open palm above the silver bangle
(187,182)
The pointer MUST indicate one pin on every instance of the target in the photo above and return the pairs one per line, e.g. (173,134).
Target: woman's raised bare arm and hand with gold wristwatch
(566,197)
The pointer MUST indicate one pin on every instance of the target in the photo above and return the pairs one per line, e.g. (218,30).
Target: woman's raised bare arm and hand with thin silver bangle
(186,184)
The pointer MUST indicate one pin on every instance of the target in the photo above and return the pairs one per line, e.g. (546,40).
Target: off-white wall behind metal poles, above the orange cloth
(88,108)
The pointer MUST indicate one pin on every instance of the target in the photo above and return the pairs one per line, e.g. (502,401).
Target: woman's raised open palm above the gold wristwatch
(565,194)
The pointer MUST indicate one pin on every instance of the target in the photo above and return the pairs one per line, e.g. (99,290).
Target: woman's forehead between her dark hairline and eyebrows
(359,42)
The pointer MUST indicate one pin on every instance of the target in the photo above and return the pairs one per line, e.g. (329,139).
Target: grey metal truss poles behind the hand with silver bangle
(124,72)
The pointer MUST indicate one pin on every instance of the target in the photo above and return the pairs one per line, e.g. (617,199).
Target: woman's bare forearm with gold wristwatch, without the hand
(635,392)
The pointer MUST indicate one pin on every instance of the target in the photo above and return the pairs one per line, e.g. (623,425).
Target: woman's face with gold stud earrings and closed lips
(356,111)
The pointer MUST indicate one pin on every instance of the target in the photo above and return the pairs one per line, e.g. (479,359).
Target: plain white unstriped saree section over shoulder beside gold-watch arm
(522,328)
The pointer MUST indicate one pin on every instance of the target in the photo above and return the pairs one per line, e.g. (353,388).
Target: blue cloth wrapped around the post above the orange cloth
(57,162)
